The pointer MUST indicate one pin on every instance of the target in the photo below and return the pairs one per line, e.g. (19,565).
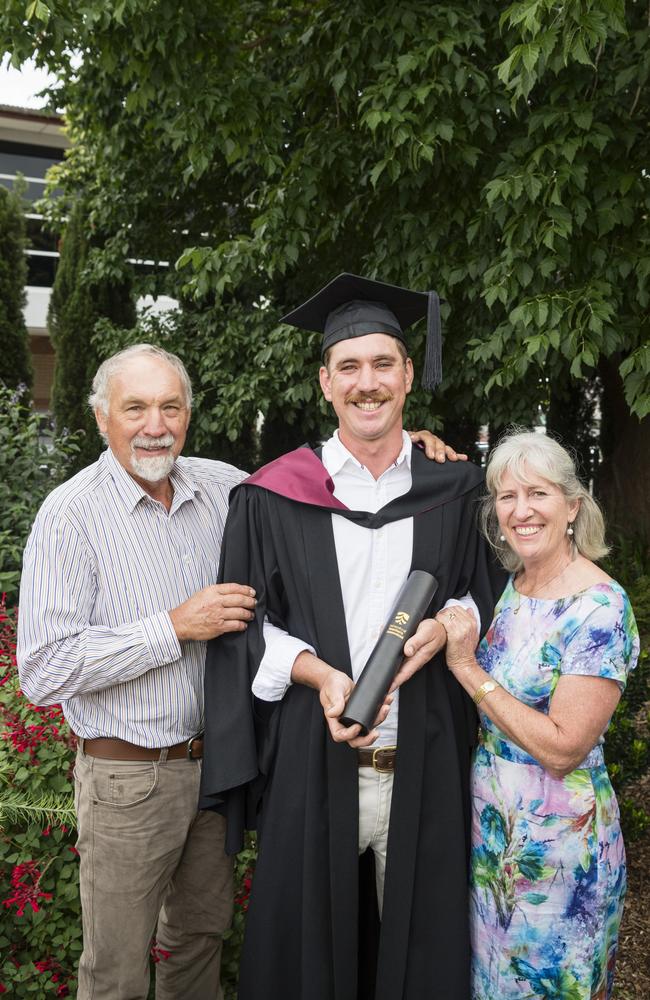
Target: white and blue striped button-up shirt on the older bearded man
(103,566)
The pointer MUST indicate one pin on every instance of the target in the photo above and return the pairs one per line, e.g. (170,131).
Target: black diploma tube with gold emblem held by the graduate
(377,676)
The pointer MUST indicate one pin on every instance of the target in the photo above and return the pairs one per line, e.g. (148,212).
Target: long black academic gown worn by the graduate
(276,765)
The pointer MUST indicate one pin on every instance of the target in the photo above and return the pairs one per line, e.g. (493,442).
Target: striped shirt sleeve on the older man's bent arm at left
(60,652)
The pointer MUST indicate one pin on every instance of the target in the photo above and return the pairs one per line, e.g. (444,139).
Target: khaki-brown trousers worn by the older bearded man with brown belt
(150,865)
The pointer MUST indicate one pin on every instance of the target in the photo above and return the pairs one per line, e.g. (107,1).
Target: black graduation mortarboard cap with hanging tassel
(352,306)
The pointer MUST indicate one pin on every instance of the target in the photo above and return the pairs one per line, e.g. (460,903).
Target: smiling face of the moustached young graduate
(367,380)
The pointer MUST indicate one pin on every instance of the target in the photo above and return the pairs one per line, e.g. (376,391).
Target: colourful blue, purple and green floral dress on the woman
(548,862)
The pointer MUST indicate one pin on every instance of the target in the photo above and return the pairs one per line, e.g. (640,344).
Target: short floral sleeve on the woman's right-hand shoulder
(605,642)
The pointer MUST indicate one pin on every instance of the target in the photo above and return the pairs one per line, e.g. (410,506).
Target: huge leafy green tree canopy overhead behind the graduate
(498,155)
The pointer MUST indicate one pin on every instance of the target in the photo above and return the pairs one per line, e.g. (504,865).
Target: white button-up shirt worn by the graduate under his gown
(373,565)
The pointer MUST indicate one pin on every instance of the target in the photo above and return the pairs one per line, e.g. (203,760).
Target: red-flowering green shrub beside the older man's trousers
(40,940)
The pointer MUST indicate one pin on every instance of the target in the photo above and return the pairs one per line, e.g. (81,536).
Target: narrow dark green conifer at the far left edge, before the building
(15,359)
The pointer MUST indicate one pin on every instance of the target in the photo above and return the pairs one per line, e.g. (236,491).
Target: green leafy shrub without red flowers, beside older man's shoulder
(32,462)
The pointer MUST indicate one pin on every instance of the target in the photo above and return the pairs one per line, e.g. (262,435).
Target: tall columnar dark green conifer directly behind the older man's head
(78,301)
